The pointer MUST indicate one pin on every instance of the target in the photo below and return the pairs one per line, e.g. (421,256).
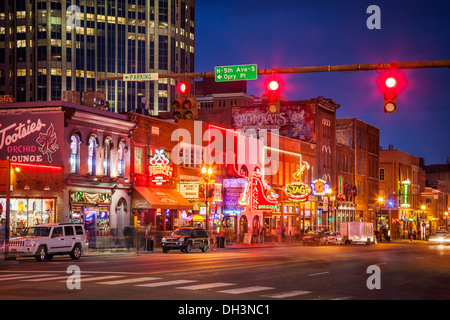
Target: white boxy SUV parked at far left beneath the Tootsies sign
(45,241)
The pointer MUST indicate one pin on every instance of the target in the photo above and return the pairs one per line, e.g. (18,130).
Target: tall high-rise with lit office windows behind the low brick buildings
(47,47)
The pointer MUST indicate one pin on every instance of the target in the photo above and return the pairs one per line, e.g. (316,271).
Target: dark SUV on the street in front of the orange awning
(185,239)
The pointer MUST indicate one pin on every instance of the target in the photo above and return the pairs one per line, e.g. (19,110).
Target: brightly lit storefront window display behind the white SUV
(27,212)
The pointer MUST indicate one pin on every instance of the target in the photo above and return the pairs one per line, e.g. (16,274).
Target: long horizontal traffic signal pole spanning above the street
(330,68)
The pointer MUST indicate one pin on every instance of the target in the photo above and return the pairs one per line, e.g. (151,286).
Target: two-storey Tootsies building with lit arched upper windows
(72,165)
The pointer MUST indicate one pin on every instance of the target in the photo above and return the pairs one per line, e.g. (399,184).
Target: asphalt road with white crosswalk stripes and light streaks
(419,271)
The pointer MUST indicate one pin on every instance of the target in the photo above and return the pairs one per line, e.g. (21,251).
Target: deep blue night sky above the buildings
(294,33)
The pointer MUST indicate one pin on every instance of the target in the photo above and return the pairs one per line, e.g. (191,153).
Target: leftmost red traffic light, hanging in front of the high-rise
(184,107)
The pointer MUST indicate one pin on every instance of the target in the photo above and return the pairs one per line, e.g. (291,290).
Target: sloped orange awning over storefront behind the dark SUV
(153,198)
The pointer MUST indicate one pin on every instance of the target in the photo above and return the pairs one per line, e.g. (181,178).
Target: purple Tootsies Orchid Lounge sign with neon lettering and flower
(32,138)
